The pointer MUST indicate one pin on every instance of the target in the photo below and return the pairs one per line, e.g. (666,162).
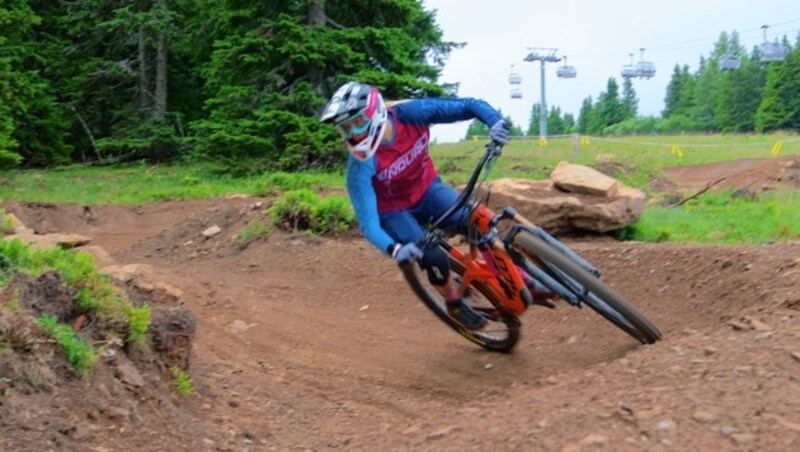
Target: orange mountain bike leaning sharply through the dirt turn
(489,271)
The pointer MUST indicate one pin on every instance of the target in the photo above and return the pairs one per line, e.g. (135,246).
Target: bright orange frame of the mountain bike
(504,279)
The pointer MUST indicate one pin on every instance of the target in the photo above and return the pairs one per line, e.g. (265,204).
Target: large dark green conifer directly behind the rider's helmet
(276,63)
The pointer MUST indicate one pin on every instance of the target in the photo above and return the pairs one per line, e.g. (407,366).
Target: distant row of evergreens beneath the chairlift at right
(757,97)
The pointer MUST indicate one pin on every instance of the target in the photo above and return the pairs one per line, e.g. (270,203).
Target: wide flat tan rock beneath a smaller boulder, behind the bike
(557,211)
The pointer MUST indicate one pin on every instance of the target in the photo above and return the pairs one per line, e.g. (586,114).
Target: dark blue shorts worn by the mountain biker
(405,226)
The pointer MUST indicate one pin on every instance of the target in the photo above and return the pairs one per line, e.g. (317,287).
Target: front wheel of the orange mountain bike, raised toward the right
(594,293)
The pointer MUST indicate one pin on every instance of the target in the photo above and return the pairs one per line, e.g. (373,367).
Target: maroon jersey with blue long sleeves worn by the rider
(370,183)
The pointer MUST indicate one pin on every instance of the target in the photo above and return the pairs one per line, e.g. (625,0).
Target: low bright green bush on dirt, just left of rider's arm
(300,210)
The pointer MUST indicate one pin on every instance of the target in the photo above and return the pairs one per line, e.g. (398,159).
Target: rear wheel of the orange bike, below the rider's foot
(501,332)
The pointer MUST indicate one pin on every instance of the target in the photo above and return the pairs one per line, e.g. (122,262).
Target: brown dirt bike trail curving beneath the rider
(315,343)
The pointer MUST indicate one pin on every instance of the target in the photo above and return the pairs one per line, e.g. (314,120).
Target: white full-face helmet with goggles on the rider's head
(359,113)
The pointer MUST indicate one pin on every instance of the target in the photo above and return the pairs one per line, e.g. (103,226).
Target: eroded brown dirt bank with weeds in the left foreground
(45,401)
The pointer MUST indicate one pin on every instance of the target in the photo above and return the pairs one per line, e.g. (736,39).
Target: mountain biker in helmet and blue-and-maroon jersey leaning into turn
(392,182)
